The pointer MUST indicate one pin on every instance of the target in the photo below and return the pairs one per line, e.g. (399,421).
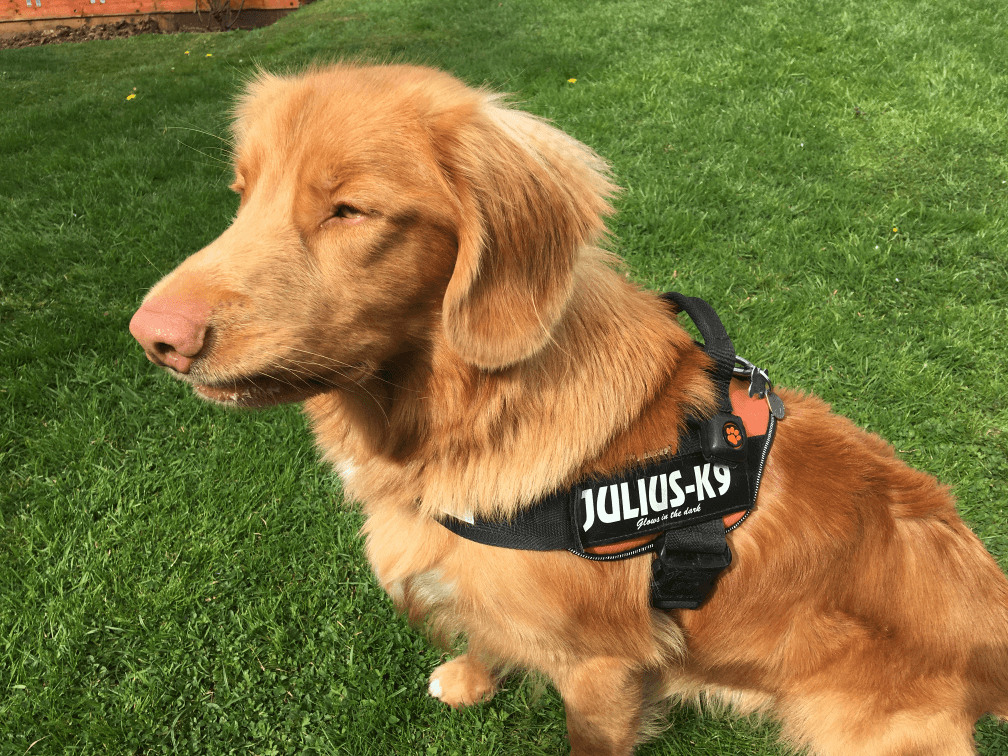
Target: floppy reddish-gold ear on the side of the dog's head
(529,199)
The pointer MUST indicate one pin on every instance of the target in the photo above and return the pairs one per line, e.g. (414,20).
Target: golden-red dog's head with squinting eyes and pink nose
(384,210)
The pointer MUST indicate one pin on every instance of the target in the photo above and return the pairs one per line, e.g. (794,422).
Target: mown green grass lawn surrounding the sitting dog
(183,580)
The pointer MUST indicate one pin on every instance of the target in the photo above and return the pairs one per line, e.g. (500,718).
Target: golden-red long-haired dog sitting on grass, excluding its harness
(421,265)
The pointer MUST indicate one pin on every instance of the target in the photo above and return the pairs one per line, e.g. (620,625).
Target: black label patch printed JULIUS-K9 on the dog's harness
(667,494)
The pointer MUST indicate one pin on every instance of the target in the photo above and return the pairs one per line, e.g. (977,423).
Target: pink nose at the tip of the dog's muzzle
(172,331)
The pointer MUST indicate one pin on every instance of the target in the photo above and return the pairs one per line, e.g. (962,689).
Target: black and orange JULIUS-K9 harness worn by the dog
(684,498)
